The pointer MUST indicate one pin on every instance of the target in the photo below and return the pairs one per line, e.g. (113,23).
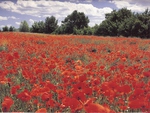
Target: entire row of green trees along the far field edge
(122,22)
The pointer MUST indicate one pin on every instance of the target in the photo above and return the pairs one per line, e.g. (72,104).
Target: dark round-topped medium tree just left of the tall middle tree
(50,24)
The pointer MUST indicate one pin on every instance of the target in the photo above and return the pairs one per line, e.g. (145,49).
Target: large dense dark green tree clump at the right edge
(125,23)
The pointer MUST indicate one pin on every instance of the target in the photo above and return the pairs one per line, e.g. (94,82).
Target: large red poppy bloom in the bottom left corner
(6,104)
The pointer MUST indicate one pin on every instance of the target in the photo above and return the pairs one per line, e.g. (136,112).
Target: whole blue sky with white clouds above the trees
(12,12)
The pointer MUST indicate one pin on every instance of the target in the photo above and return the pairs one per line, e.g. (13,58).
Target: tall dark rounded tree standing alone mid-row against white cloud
(76,20)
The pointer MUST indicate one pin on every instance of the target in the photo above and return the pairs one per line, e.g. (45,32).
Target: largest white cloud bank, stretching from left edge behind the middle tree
(58,9)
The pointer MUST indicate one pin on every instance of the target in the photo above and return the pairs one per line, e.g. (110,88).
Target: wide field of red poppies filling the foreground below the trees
(68,73)
